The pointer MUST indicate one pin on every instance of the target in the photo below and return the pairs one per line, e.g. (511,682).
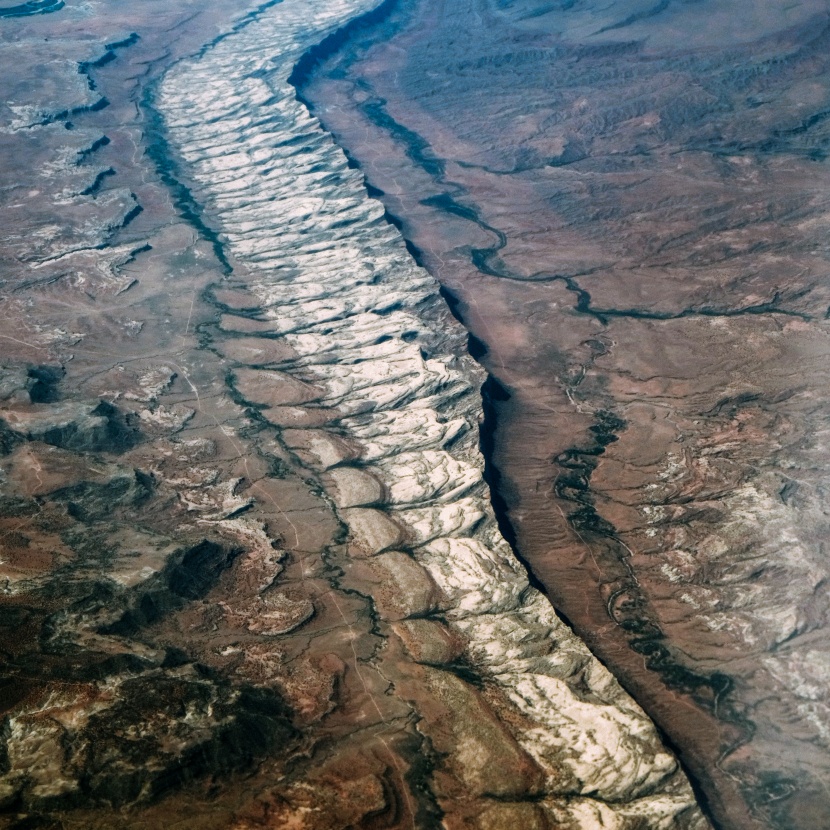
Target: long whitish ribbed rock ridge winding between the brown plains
(401,449)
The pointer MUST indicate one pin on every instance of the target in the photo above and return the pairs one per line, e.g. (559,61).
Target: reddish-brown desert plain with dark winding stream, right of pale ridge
(626,204)
